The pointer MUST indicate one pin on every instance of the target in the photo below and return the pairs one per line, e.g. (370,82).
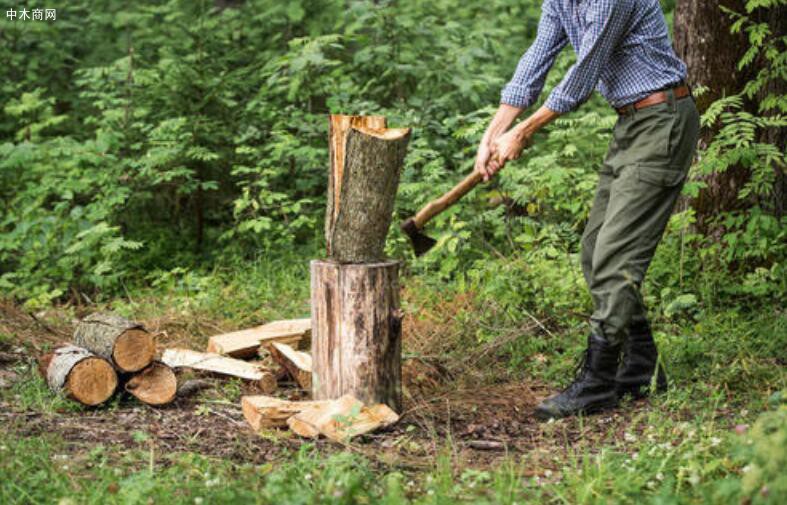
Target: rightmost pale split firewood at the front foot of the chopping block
(342,419)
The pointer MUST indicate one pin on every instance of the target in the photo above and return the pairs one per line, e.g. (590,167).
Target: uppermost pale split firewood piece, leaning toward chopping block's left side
(245,343)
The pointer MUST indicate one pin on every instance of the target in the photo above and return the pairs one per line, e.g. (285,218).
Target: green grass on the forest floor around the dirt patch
(719,435)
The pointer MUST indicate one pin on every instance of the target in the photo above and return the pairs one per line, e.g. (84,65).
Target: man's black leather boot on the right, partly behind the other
(640,361)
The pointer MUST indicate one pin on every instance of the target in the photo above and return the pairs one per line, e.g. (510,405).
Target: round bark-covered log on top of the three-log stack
(124,343)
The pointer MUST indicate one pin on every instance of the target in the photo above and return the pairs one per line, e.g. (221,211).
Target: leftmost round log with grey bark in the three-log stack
(79,374)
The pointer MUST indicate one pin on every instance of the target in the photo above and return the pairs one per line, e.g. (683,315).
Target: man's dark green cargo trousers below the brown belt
(639,183)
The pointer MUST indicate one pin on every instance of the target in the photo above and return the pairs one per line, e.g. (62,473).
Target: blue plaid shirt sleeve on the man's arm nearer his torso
(606,22)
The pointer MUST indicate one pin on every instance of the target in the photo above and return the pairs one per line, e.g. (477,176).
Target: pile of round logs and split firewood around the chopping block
(110,354)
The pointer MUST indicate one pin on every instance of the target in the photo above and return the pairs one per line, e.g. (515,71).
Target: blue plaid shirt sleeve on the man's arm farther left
(528,80)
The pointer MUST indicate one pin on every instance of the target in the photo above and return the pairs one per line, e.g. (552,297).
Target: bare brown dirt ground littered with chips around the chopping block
(480,424)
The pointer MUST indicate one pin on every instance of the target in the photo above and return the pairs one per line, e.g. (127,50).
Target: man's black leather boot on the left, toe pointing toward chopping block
(593,388)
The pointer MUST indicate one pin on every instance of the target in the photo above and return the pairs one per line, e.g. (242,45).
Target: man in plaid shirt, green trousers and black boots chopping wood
(623,50)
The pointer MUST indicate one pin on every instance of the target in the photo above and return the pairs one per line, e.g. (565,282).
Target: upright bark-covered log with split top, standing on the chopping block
(366,160)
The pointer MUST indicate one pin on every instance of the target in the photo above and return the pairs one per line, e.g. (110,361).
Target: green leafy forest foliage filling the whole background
(176,139)
